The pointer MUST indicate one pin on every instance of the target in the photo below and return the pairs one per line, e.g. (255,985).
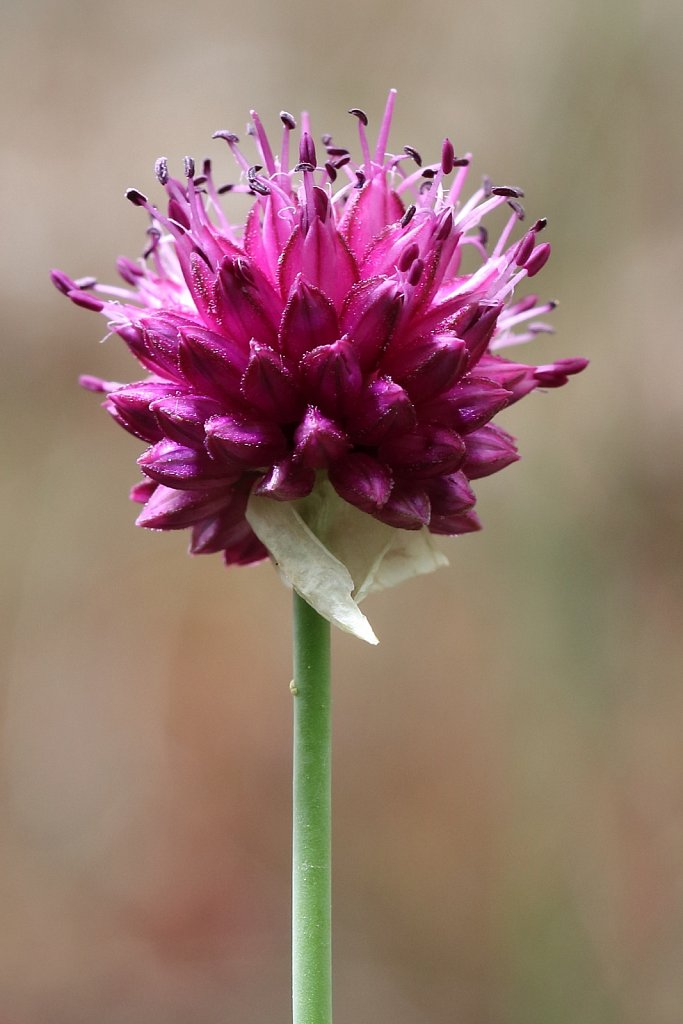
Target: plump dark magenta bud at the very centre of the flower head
(332,378)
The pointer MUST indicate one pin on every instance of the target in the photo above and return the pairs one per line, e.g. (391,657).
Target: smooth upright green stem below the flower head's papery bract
(312,869)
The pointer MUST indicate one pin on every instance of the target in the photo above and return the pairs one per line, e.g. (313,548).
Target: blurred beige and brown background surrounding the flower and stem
(508,763)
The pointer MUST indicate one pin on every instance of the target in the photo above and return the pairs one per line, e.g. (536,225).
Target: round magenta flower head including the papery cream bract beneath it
(321,382)
